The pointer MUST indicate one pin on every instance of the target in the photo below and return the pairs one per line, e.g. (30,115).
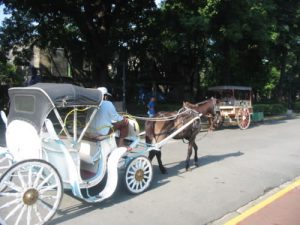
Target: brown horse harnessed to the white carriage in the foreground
(158,129)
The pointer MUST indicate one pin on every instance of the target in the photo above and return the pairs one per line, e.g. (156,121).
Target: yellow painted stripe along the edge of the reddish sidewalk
(262,204)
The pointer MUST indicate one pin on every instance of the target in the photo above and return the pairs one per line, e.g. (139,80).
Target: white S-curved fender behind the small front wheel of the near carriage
(112,173)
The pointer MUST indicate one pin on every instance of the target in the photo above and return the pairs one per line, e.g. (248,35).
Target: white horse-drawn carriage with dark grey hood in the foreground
(47,152)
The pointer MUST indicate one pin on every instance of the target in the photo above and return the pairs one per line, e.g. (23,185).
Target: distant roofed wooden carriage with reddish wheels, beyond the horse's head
(234,105)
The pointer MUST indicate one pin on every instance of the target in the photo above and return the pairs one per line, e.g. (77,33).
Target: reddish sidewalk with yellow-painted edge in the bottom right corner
(281,208)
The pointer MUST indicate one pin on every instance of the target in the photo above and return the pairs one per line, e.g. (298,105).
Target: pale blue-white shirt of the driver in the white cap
(105,116)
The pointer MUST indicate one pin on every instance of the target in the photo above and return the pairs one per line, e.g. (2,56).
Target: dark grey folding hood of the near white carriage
(34,103)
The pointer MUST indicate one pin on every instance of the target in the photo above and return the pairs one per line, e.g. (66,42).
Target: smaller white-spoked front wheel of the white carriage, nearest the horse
(138,175)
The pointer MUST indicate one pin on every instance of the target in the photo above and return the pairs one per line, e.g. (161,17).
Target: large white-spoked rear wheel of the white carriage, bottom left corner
(33,192)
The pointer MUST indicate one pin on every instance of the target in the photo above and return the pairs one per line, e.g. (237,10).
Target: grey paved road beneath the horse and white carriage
(236,167)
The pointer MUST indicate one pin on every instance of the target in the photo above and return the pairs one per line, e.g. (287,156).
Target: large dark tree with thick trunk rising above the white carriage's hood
(80,27)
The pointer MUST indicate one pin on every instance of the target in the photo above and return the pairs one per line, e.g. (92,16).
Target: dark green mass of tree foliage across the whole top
(192,43)
